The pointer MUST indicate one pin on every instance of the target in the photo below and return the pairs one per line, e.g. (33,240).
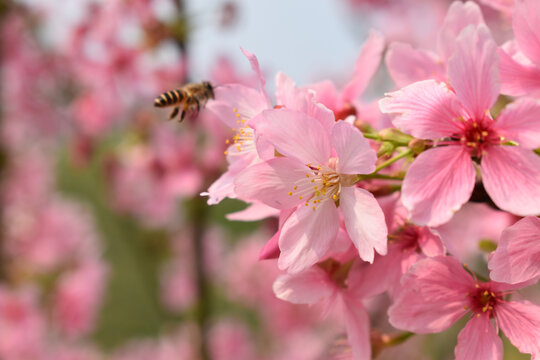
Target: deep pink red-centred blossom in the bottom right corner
(437,291)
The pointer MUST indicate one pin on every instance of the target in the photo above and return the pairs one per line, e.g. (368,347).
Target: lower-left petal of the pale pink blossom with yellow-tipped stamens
(307,235)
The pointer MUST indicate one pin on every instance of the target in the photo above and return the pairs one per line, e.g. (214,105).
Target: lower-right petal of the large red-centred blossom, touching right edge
(511,176)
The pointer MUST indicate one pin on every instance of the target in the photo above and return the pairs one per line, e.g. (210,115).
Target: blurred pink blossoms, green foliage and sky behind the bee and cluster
(107,251)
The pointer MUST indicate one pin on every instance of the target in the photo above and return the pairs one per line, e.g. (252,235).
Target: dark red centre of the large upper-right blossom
(478,135)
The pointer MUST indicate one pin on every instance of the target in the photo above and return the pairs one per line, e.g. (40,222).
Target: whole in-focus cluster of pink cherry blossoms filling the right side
(363,212)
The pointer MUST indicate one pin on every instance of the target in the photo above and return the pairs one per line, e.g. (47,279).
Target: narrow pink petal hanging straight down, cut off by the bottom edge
(358,328)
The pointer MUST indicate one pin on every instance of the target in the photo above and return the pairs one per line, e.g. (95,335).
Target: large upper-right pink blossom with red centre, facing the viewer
(441,179)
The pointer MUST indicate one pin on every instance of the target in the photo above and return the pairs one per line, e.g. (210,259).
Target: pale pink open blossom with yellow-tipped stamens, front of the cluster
(318,172)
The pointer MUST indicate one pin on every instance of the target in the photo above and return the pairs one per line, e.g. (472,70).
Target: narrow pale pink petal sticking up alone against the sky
(366,66)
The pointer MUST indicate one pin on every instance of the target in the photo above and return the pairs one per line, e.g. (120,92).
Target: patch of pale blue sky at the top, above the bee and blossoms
(307,39)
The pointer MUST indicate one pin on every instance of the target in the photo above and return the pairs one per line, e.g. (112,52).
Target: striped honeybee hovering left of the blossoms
(187,100)
